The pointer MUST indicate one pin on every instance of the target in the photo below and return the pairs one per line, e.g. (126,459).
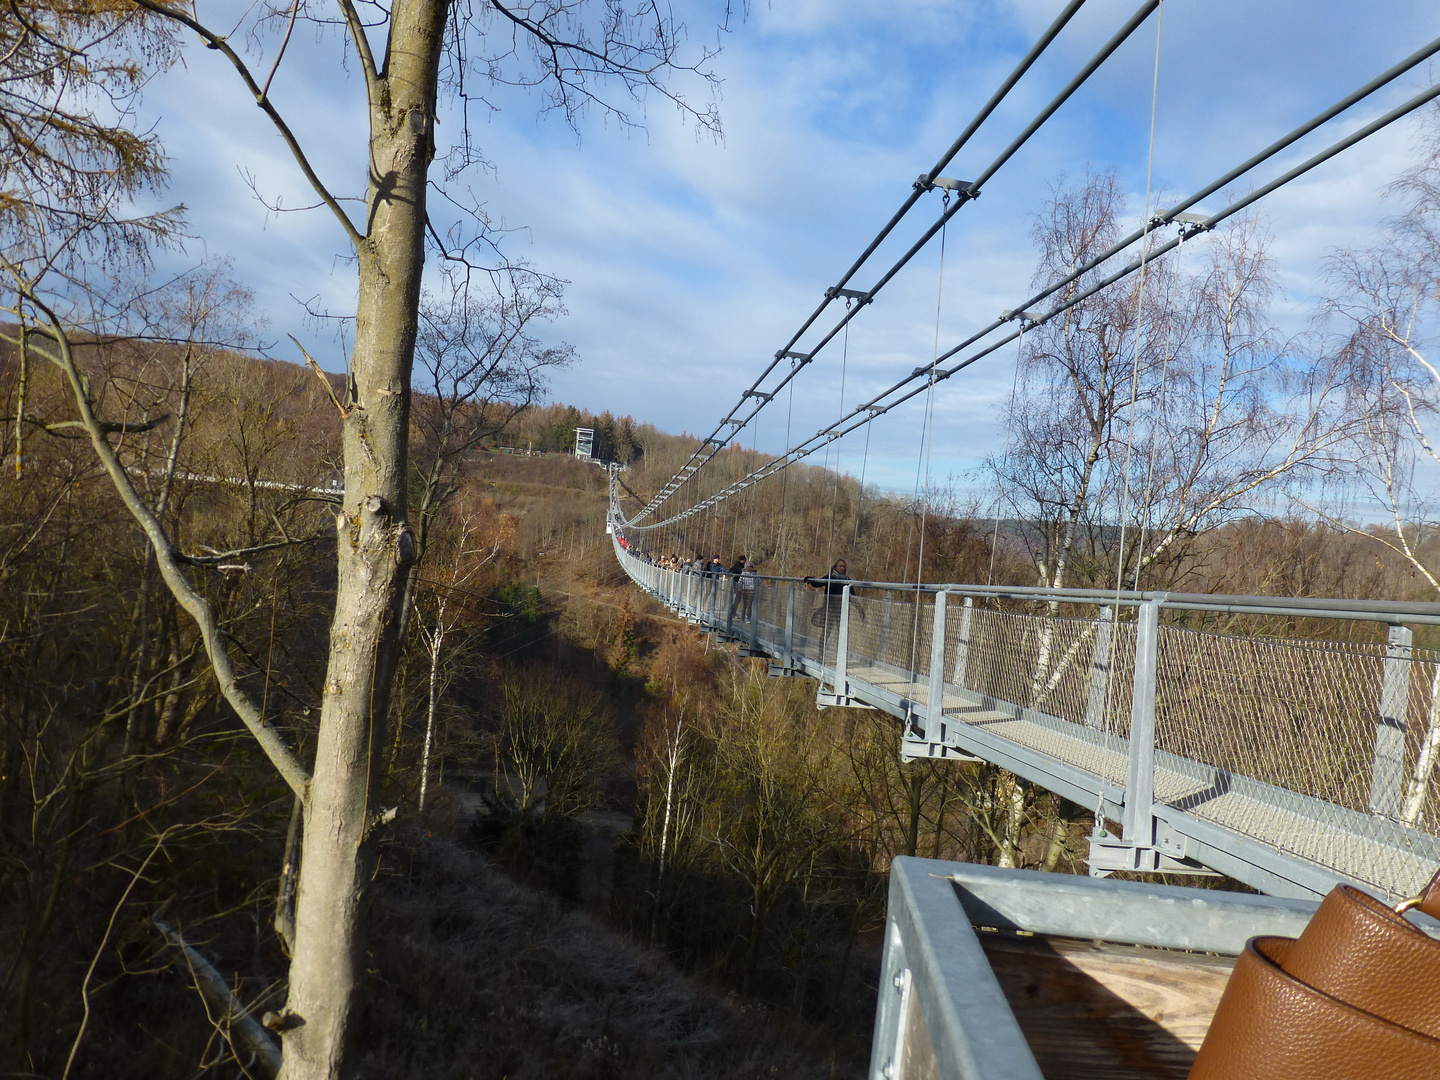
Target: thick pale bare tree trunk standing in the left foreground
(375,549)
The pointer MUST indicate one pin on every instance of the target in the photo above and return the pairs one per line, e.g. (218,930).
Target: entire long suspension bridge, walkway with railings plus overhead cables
(1284,764)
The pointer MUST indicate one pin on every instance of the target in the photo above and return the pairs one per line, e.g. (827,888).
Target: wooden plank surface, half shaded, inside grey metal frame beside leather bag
(1104,1012)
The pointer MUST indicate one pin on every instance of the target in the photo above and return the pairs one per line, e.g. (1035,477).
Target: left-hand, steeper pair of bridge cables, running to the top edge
(967,192)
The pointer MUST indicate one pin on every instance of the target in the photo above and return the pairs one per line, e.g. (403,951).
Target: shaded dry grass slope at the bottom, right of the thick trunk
(479,978)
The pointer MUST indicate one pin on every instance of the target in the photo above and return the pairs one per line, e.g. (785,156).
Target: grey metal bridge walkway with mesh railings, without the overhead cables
(1288,765)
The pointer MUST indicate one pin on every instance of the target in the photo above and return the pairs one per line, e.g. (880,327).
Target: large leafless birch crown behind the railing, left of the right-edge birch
(1158,410)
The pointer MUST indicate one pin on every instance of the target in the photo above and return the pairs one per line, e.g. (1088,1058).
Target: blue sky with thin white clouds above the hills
(692,261)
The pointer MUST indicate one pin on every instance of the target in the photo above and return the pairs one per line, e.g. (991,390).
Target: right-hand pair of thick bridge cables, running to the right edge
(879,405)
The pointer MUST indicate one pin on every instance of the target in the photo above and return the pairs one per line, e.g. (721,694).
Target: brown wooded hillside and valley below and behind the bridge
(643,788)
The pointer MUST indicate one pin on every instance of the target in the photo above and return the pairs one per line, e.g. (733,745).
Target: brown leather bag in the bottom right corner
(1356,997)
